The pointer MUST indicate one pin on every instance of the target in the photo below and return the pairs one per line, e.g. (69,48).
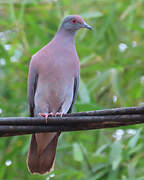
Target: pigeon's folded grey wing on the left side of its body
(32,85)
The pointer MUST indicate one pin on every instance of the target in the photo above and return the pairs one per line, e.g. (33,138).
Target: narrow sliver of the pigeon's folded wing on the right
(75,91)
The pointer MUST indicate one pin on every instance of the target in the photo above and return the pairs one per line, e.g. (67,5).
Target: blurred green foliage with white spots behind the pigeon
(112,75)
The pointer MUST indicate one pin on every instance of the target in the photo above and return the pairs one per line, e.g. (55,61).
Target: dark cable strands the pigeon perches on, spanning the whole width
(72,122)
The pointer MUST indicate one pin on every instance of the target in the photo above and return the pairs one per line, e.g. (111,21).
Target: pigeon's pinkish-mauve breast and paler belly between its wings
(56,73)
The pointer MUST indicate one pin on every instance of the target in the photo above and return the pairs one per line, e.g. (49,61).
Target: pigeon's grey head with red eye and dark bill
(74,23)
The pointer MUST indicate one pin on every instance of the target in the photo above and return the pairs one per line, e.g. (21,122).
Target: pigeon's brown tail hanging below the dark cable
(42,152)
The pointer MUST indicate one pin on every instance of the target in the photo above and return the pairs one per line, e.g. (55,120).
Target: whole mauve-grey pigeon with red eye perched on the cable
(53,81)
